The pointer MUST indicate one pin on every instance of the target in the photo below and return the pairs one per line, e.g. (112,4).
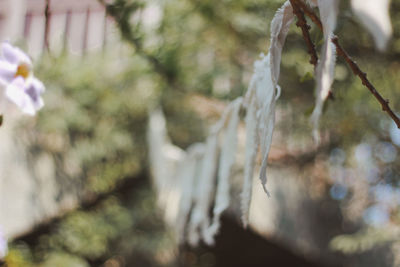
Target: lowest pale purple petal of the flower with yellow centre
(15,92)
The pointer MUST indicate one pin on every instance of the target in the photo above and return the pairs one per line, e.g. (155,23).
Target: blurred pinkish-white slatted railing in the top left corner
(77,26)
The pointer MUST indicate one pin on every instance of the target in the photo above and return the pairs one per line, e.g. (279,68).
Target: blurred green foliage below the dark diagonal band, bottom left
(111,228)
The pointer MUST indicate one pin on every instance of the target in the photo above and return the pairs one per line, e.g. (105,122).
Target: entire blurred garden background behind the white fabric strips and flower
(75,185)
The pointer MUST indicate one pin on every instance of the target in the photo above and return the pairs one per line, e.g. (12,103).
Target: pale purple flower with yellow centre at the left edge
(16,76)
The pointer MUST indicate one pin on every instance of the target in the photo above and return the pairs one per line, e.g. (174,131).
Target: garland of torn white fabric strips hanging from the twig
(208,164)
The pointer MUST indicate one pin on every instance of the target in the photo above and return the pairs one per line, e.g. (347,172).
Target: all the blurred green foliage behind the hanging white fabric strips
(96,113)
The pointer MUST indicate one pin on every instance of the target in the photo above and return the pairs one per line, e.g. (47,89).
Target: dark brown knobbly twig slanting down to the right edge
(353,65)
